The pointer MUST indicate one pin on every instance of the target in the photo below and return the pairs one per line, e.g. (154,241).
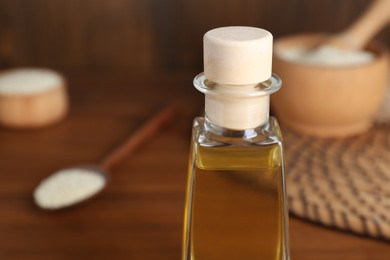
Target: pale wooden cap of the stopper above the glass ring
(237,55)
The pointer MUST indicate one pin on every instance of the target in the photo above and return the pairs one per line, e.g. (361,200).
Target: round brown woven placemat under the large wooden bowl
(342,183)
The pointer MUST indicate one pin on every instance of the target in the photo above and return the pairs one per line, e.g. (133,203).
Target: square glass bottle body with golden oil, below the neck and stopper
(236,197)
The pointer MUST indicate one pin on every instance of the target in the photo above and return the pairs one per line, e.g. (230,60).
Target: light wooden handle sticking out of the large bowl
(365,27)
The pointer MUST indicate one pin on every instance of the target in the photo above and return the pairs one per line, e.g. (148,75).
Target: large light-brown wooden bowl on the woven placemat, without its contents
(329,101)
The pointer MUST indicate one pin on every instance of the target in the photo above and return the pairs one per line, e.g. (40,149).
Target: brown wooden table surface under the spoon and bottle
(140,214)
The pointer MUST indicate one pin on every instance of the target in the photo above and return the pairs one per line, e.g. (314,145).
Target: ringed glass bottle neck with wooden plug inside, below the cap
(237,107)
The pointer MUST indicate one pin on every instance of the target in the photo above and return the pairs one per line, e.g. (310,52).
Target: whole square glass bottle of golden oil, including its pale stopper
(236,195)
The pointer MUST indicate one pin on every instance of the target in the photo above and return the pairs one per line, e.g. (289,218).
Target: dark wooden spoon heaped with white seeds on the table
(71,186)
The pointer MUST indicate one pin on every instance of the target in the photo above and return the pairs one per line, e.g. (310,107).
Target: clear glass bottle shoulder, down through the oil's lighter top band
(262,150)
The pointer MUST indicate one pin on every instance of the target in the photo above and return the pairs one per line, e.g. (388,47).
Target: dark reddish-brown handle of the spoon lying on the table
(140,136)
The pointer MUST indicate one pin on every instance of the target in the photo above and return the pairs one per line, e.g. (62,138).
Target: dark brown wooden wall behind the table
(119,36)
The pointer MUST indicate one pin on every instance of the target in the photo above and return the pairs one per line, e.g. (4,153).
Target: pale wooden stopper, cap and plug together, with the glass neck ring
(237,61)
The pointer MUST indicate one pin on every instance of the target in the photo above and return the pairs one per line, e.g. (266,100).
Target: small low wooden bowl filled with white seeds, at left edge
(32,98)
